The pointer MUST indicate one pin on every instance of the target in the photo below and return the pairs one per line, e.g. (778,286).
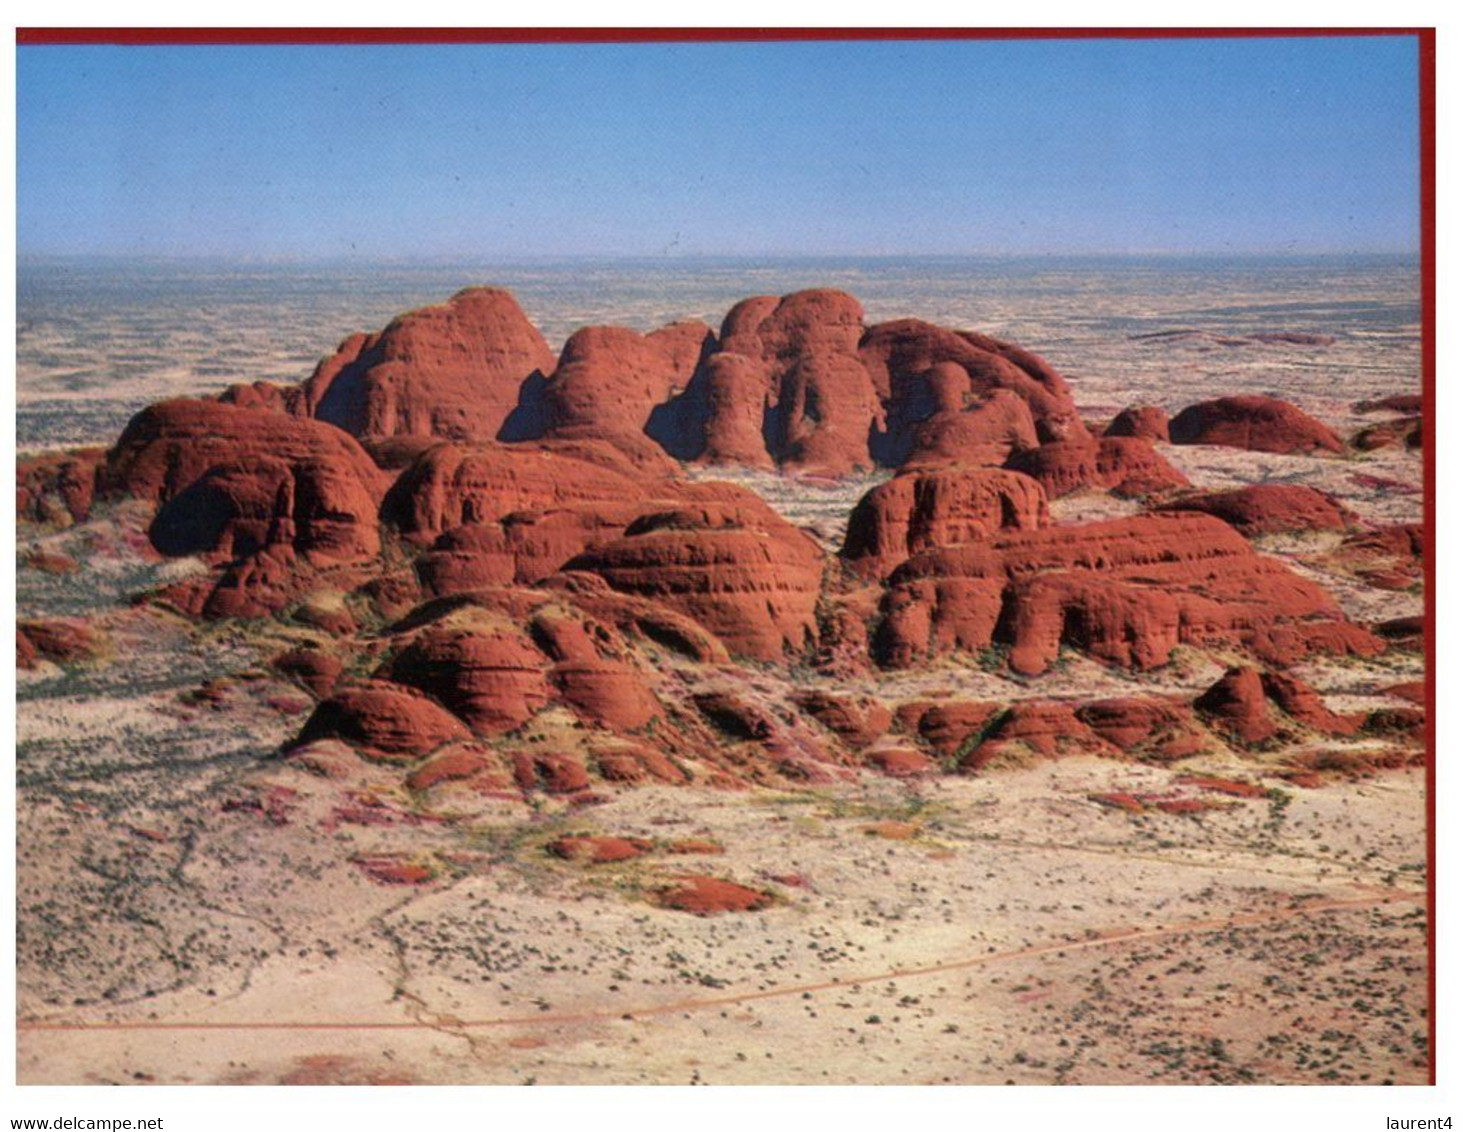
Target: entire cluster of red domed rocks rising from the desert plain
(548,603)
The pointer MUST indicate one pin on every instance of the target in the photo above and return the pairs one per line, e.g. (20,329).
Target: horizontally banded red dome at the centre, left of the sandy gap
(737,568)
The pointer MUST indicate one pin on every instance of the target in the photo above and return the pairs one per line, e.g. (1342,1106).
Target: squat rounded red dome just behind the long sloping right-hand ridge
(919,511)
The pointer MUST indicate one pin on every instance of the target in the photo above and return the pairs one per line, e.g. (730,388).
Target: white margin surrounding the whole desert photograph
(615,1109)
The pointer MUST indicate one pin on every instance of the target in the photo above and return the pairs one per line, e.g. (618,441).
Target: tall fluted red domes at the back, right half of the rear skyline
(798,382)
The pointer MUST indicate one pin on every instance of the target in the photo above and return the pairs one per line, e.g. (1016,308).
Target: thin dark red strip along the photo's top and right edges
(1427,146)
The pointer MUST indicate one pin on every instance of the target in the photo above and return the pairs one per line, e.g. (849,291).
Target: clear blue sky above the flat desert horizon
(838,148)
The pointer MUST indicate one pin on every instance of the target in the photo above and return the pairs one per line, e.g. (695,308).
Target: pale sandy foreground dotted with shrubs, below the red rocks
(1009,931)
